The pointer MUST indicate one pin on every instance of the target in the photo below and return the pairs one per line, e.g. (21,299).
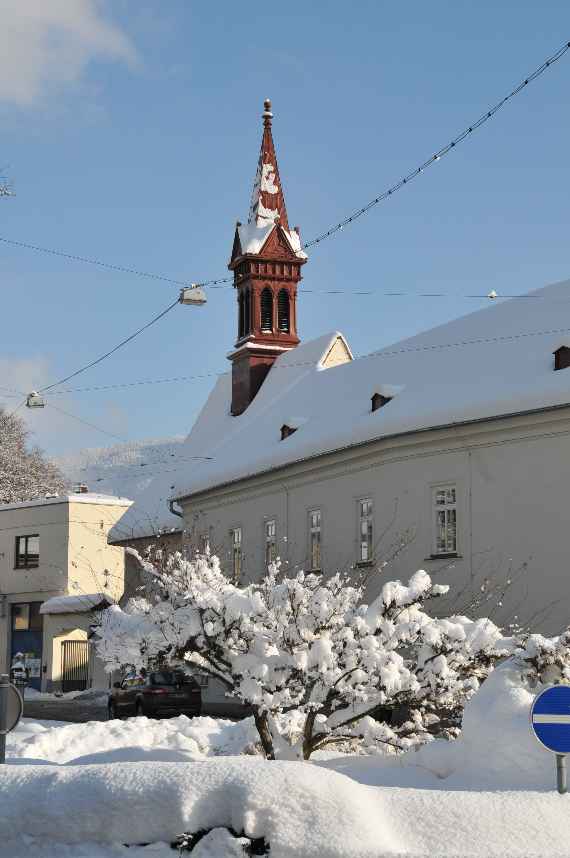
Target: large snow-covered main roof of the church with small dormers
(493,362)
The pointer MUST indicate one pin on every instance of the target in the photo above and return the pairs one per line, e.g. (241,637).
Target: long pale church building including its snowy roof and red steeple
(449,451)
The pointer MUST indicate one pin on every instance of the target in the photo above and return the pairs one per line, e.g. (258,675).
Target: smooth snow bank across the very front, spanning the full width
(300,809)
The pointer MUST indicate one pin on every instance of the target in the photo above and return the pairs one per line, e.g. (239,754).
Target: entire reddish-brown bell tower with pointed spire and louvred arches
(266,261)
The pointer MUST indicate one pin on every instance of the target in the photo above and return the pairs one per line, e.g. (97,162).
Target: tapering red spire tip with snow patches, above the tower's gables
(267,200)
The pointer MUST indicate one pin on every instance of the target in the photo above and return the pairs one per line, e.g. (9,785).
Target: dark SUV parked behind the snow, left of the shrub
(163,693)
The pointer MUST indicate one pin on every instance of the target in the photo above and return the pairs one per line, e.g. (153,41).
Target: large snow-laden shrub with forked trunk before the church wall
(307,654)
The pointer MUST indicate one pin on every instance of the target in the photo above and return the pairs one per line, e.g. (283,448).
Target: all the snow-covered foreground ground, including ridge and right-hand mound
(84,790)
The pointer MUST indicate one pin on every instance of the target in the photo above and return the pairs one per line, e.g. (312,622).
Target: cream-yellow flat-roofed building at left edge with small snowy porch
(56,571)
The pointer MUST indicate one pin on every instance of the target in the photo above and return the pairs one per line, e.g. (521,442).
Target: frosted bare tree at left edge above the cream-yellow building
(24,471)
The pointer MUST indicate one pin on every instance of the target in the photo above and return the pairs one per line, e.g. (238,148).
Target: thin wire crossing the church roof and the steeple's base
(505,338)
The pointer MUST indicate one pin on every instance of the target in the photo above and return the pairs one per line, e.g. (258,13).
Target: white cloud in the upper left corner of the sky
(47,45)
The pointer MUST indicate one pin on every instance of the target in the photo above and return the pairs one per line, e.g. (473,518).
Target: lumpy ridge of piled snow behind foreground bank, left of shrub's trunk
(175,739)
